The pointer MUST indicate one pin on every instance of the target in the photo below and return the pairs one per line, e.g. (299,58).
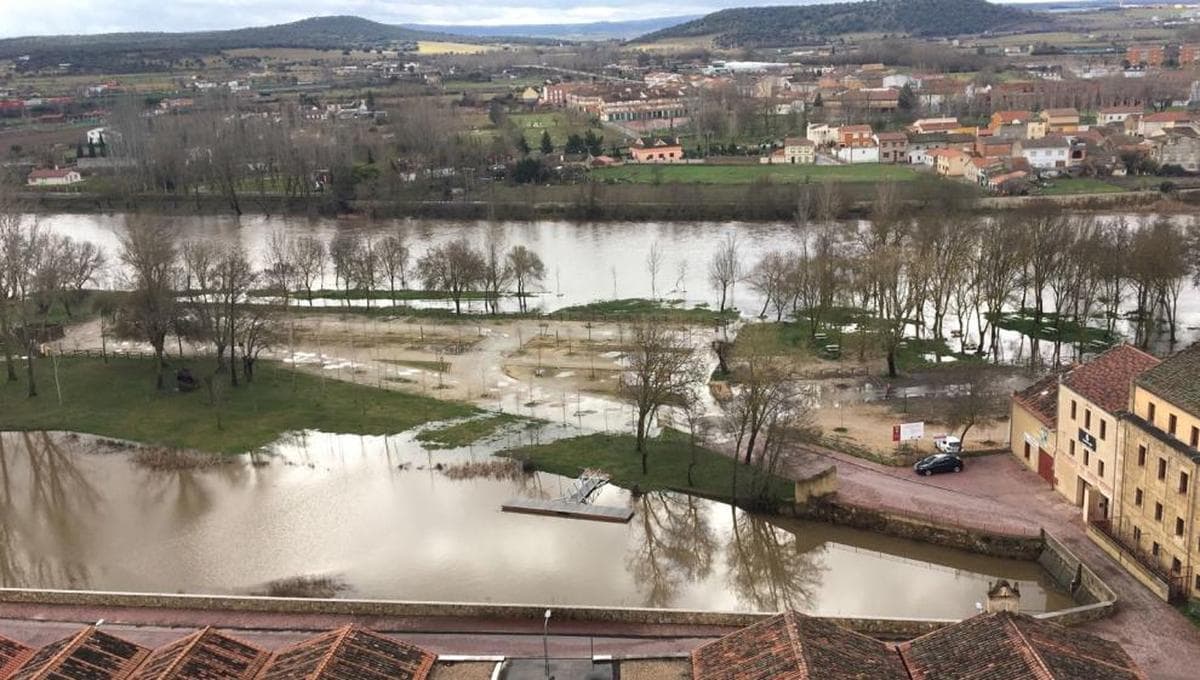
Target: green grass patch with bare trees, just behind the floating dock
(669,459)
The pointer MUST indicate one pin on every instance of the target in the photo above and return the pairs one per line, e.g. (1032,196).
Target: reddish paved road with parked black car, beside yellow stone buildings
(998,494)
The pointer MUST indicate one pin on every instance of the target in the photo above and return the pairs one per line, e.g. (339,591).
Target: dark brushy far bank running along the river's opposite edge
(603,203)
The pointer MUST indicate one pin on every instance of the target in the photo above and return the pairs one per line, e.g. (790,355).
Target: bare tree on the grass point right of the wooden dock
(662,368)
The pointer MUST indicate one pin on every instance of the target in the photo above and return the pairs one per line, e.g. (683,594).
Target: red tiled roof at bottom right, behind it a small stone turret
(1013,647)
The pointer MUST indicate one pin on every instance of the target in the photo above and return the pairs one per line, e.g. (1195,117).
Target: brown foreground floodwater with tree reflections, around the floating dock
(374,515)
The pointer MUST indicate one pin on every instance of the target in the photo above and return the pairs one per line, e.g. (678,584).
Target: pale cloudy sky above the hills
(55,17)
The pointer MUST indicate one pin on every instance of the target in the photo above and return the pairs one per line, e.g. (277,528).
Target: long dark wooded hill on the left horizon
(117,52)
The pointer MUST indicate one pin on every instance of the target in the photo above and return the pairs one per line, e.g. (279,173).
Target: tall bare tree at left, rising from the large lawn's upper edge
(148,251)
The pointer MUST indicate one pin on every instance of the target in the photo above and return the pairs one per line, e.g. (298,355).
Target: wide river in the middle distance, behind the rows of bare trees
(585,262)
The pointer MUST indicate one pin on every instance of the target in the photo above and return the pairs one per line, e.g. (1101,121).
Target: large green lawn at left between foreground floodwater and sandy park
(119,400)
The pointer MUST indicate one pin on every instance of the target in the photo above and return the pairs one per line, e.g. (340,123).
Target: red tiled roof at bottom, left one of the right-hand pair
(795,647)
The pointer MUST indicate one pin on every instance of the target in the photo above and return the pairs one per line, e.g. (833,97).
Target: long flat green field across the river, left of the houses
(748,174)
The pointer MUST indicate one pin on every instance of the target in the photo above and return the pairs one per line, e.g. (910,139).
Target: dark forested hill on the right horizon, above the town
(770,27)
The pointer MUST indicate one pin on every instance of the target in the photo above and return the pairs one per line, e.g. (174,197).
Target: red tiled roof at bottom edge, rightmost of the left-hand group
(350,654)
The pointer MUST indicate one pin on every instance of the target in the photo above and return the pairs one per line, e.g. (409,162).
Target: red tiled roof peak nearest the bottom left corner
(87,655)
